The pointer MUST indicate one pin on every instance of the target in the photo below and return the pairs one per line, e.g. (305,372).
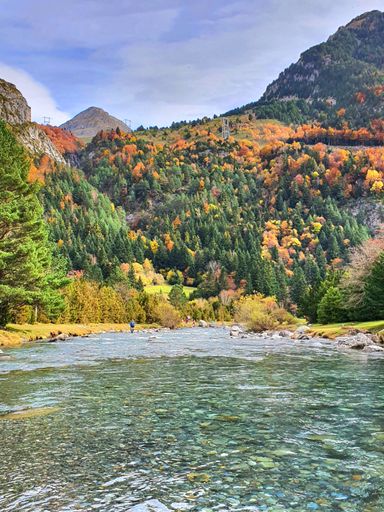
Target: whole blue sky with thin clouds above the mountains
(157,61)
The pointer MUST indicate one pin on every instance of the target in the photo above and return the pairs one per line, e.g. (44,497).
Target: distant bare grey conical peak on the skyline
(92,120)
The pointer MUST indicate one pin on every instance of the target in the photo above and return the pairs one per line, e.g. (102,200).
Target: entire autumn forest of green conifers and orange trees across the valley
(268,212)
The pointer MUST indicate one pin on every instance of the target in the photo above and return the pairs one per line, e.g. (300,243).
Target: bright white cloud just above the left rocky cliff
(38,96)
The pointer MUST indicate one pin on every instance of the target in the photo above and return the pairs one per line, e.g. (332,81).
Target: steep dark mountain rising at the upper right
(345,72)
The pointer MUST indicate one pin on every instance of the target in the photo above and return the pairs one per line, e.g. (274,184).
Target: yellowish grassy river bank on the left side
(15,335)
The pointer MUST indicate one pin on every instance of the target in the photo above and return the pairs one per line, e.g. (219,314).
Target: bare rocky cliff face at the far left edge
(14,108)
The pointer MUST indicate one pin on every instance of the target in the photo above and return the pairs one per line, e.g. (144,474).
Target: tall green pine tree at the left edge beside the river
(25,255)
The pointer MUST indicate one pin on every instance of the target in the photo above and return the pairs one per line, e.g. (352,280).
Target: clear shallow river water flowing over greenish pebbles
(273,425)
